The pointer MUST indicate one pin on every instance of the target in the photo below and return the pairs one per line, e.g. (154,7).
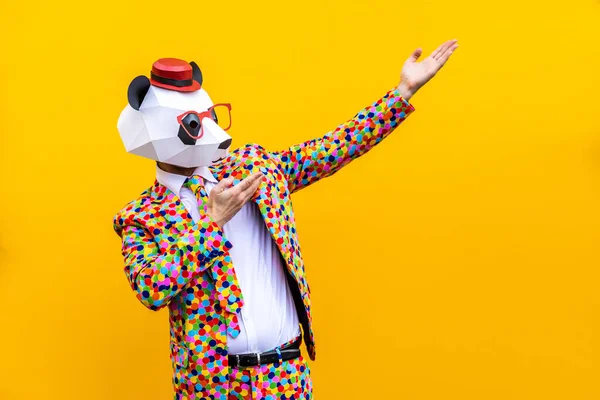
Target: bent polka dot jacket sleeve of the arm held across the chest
(159,269)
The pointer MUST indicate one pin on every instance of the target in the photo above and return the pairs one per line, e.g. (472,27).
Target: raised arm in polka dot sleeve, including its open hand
(306,163)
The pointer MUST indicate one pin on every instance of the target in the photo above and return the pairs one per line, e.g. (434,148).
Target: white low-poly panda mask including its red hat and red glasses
(171,119)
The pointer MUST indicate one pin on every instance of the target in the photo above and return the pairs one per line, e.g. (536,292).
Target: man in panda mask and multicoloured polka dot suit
(214,239)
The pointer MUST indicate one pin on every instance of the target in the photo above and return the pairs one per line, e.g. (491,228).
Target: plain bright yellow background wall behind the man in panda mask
(457,260)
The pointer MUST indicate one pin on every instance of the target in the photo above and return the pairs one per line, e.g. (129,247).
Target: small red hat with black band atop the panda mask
(175,74)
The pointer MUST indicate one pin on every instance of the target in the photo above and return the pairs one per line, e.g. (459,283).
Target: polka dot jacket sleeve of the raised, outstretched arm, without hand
(306,163)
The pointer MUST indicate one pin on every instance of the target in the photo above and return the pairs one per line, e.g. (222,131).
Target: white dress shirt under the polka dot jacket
(268,317)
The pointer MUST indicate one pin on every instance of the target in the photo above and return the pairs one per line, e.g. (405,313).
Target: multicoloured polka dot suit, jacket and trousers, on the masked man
(171,261)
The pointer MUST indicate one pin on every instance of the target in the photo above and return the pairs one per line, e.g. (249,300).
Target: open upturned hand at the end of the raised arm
(414,75)
